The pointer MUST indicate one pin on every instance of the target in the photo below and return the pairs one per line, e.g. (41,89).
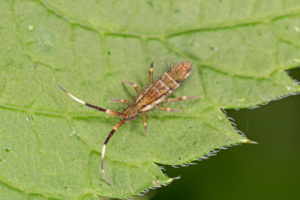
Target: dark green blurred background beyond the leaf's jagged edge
(263,171)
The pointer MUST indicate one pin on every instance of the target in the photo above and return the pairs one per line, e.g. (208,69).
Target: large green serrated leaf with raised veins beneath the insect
(50,145)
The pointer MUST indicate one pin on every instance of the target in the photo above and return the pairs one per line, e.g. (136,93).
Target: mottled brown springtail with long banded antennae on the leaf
(155,94)
